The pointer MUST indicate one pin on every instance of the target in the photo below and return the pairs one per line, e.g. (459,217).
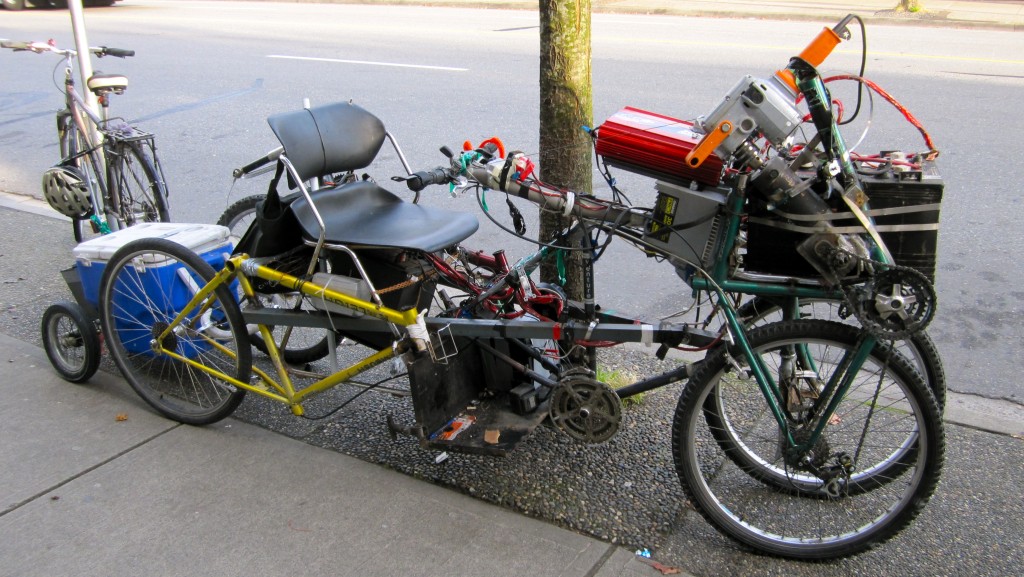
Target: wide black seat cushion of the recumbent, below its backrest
(364,215)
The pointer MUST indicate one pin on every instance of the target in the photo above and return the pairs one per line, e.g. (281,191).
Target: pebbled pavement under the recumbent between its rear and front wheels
(624,491)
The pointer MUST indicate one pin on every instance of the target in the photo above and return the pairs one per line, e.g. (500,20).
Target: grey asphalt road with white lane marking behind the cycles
(208,73)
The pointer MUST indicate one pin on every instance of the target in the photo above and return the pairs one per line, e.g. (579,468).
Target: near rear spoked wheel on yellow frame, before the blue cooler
(182,370)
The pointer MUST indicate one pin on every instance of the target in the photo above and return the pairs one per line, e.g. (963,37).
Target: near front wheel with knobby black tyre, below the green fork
(874,468)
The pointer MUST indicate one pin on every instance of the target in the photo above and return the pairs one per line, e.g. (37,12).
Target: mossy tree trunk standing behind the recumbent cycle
(567,106)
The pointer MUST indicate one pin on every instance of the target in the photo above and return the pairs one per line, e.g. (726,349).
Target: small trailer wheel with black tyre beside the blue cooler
(72,342)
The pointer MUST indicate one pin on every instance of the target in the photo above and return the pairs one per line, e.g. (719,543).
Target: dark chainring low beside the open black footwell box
(586,409)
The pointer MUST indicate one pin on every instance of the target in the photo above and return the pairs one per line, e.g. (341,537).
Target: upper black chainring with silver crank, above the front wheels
(891,325)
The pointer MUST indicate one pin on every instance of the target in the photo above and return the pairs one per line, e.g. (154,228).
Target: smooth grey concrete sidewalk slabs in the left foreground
(88,493)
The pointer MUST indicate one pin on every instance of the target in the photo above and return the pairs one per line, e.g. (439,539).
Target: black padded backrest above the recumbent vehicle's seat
(330,139)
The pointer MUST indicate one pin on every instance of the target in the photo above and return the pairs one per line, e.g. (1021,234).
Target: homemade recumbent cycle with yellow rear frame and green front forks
(802,438)
